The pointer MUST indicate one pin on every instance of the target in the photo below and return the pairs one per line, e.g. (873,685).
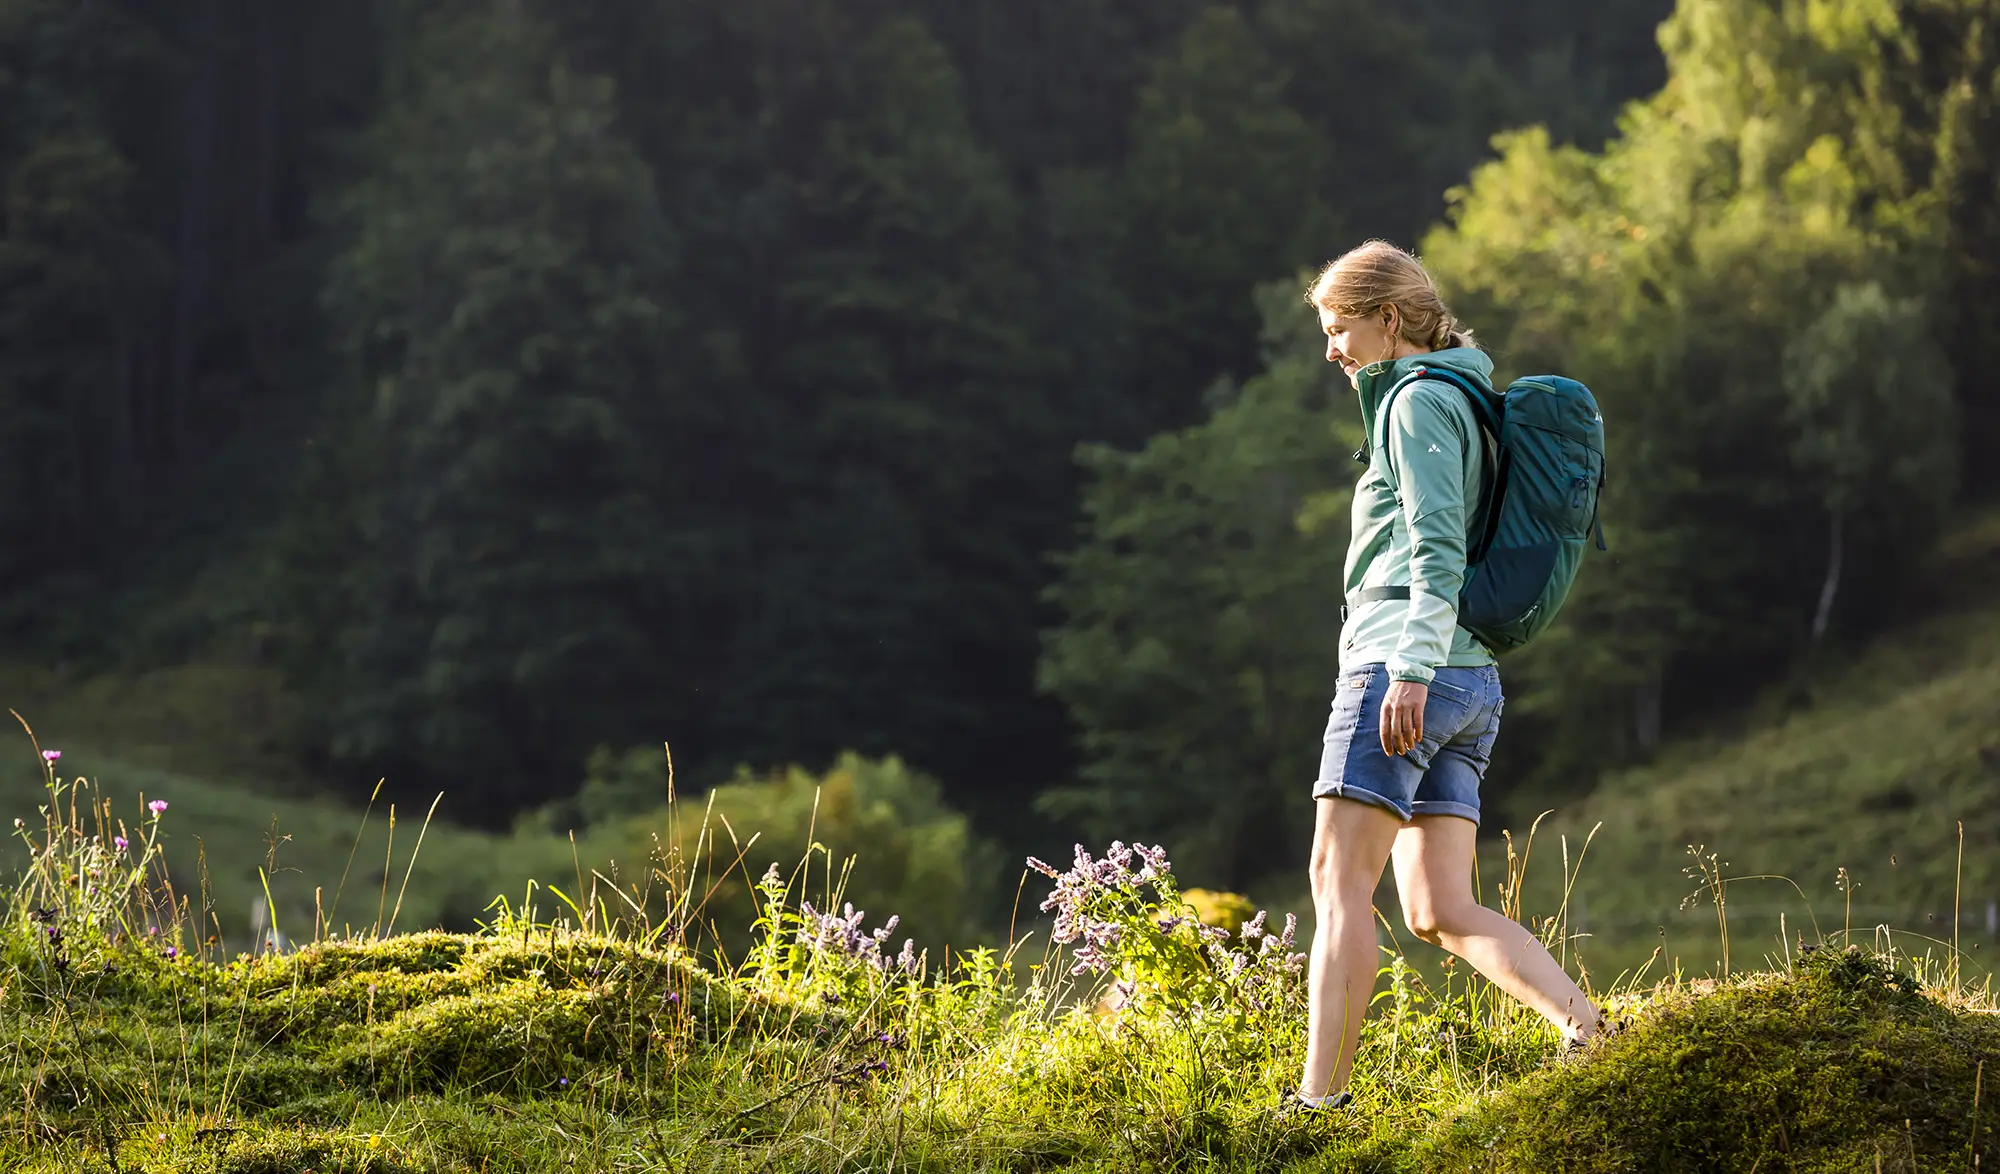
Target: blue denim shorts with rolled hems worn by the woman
(1441,775)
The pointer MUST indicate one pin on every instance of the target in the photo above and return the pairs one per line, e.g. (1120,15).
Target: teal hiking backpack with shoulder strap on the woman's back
(1541,503)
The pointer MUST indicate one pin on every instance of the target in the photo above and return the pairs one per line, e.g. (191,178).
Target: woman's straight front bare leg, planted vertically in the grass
(1351,845)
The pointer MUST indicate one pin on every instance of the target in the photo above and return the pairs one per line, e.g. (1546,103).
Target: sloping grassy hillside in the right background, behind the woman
(1851,785)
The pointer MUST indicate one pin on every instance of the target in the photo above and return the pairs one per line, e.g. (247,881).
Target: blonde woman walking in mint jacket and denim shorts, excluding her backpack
(1419,699)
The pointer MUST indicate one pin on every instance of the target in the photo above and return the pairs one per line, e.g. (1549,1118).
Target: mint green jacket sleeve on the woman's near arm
(1427,451)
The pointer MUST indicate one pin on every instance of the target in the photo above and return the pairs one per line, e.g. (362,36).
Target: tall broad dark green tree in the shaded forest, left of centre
(511,539)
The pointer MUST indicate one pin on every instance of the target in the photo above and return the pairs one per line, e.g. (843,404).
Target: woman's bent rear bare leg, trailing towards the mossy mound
(1435,883)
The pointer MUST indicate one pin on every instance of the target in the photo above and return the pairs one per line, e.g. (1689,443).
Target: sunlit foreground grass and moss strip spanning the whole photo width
(537,1047)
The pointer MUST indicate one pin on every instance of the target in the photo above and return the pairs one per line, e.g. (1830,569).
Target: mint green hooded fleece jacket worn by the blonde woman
(1413,511)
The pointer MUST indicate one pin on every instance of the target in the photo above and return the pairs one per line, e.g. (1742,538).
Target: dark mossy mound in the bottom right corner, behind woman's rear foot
(1833,1067)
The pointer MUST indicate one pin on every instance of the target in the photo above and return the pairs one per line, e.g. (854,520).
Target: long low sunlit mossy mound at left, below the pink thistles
(423,1013)
